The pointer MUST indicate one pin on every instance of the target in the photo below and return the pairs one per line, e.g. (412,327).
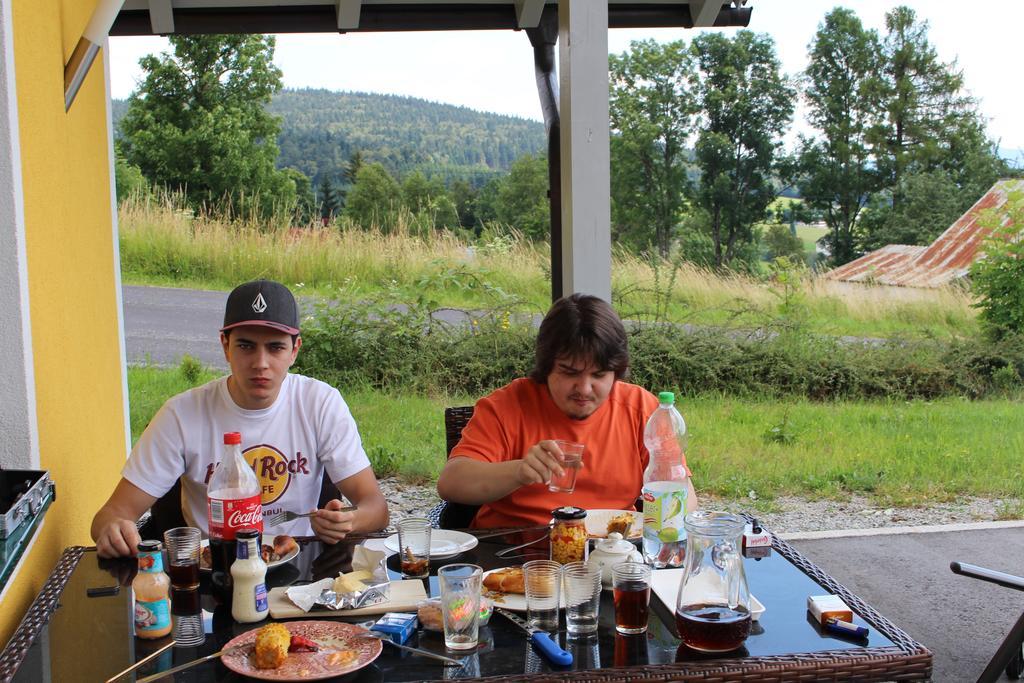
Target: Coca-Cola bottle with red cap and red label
(234,504)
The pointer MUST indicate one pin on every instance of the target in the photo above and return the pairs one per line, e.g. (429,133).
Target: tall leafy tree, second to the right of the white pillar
(745,105)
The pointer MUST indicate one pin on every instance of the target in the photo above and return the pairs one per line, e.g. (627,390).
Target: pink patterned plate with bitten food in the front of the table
(302,651)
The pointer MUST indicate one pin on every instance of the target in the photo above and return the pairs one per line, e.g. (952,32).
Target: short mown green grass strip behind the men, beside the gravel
(895,453)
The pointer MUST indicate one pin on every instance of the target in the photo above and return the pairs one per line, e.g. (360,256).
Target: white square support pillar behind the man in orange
(583,55)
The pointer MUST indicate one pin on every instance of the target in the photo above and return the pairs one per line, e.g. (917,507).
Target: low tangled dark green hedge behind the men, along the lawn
(407,350)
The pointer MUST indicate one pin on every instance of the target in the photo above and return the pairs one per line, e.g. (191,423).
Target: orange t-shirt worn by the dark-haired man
(517,417)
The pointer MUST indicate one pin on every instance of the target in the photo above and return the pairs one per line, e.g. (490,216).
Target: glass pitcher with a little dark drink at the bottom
(713,611)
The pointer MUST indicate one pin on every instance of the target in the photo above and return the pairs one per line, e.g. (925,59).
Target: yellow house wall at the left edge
(72,285)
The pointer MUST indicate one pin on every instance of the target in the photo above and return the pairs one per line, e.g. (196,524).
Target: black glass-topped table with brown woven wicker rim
(68,636)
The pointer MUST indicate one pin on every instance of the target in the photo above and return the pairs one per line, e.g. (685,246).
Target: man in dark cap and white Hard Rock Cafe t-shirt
(293,430)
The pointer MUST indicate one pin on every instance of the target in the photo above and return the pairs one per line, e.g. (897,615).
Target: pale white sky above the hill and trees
(494,71)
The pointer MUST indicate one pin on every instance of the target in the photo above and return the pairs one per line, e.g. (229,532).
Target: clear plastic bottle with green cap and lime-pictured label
(665,486)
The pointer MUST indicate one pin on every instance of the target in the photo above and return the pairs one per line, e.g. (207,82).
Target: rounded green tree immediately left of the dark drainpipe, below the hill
(523,198)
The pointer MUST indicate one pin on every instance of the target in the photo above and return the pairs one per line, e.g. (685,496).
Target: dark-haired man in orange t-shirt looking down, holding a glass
(508,454)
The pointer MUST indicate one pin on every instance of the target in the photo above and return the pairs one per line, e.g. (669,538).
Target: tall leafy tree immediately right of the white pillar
(652,110)
